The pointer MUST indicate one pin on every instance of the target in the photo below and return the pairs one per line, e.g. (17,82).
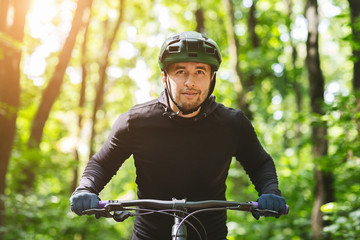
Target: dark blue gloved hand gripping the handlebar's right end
(271,202)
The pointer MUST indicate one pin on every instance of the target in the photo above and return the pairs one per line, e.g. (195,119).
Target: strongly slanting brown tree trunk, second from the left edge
(52,91)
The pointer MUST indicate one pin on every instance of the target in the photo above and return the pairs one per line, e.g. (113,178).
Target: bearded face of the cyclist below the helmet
(189,83)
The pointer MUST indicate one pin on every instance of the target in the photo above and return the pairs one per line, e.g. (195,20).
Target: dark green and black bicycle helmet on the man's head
(189,47)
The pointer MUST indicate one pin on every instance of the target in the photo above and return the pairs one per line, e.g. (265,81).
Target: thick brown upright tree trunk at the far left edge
(9,87)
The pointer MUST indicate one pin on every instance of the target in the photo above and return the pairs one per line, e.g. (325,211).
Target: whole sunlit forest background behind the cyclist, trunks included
(69,68)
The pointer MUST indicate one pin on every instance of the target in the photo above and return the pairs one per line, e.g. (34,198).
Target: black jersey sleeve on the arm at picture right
(257,163)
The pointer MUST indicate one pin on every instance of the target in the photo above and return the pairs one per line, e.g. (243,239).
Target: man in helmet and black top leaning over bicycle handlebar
(182,144)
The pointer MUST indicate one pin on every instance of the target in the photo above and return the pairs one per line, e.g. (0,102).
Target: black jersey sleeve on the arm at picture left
(107,161)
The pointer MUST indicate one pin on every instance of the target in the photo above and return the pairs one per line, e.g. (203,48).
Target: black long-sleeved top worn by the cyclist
(179,158)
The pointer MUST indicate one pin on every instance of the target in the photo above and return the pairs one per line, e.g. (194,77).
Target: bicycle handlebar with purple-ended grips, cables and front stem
(179,209)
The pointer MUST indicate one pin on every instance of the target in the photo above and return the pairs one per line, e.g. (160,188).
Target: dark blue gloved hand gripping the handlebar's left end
(82,201)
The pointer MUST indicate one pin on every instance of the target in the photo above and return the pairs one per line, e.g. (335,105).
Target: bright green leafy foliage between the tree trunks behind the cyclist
(279,101)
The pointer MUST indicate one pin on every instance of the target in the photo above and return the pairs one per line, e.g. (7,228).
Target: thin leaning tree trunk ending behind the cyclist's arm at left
(103,65)
